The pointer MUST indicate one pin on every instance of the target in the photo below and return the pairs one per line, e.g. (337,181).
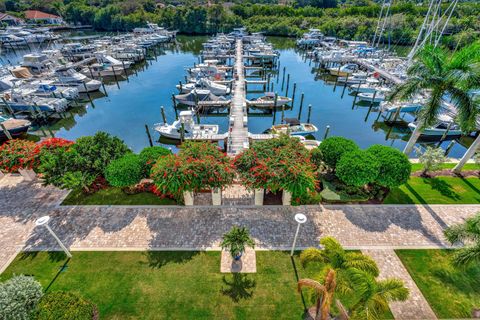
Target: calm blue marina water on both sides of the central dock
(127,110)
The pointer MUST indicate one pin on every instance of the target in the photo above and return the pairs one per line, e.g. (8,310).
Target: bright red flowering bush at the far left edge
(17,154)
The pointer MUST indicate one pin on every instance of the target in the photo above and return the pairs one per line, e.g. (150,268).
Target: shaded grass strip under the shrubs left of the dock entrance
(114,196)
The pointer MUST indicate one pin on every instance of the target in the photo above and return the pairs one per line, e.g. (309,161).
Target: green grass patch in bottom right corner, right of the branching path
(451,293)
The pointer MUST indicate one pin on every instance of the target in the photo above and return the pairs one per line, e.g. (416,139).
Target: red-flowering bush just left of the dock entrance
(198,166)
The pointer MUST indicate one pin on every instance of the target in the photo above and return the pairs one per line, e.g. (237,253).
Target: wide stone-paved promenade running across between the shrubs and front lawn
(377,229)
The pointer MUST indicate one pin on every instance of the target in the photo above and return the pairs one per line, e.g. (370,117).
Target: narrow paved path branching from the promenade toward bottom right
(416,307)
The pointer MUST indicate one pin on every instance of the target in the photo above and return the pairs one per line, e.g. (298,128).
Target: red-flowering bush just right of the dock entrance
(277,164)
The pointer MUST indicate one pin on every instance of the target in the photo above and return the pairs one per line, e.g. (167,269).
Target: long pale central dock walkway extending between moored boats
(238,130)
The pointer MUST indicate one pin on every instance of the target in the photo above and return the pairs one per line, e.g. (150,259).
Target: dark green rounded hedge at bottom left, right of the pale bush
(60,305)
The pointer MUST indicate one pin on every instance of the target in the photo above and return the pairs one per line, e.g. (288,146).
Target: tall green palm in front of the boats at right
(440,74)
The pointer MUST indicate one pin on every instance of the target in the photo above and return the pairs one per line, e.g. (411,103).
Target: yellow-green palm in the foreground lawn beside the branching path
(355,280)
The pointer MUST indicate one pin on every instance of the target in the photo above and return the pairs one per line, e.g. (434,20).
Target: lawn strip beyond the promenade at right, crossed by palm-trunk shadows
(439,190)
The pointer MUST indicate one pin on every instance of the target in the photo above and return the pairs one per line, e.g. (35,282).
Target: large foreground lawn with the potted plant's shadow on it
(170,285)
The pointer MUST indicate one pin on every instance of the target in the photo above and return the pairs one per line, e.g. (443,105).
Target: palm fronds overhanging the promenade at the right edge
(467,232)
